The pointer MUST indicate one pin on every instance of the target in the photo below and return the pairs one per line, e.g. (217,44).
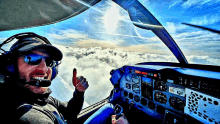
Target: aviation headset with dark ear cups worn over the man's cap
(9,64)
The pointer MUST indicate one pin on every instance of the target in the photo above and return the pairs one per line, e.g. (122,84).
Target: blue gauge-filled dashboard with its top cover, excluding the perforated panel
(158,89)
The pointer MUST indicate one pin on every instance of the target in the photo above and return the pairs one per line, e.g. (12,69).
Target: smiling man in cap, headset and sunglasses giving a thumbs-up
(26,73)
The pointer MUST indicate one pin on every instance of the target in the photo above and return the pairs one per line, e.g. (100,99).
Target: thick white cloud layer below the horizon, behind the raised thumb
(95,64)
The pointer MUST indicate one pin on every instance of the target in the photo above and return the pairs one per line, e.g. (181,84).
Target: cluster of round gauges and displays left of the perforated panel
(151,90)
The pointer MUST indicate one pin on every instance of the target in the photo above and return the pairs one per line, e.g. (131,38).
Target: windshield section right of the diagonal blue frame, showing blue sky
(199,46)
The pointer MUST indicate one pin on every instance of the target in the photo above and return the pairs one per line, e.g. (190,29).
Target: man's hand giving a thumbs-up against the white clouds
(80,83)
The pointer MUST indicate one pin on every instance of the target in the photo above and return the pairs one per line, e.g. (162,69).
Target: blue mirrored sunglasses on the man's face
(35,59)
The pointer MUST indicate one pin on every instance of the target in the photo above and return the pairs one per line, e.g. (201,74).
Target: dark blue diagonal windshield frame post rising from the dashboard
(142,18)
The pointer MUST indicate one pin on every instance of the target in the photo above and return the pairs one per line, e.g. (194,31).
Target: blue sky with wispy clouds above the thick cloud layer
(108,23)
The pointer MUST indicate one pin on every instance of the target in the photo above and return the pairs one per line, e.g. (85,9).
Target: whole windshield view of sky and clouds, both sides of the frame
(103,38)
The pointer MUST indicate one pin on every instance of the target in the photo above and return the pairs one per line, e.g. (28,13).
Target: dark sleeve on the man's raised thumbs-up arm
(70,109)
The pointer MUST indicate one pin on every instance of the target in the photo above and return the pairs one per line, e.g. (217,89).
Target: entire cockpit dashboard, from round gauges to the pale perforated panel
(161,91)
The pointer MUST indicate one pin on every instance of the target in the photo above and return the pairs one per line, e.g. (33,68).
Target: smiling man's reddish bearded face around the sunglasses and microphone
(31,72)
